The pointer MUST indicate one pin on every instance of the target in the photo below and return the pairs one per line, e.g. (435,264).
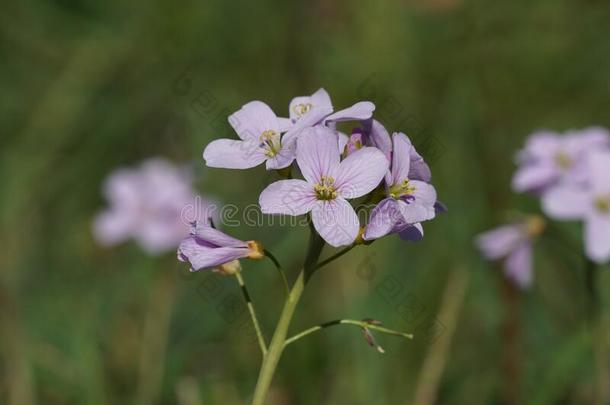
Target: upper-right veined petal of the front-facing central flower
(360,172)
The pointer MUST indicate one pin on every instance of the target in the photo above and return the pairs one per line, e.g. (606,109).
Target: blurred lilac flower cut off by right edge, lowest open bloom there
(590,202)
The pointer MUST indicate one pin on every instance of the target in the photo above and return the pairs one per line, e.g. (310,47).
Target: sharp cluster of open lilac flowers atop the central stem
(368,164)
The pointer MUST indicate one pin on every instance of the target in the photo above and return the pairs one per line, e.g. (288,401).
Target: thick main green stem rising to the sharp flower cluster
(281,330)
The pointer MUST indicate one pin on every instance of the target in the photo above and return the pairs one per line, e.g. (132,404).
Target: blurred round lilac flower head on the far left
(151,204)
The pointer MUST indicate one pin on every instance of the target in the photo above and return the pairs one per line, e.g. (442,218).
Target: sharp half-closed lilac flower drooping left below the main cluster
(207,247)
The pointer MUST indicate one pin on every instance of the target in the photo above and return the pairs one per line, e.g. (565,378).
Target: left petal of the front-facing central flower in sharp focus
(288,197)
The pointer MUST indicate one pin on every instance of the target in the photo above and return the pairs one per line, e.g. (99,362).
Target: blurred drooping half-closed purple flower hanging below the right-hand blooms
(513,244)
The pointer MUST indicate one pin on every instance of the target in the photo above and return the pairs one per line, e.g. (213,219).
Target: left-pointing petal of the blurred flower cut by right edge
(566,202)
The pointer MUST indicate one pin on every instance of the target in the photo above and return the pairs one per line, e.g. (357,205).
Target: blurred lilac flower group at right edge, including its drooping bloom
(571,175)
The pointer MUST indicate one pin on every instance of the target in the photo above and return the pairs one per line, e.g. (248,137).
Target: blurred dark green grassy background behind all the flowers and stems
(86,86)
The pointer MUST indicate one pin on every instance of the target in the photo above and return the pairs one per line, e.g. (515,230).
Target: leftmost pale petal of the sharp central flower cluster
(230,154)
